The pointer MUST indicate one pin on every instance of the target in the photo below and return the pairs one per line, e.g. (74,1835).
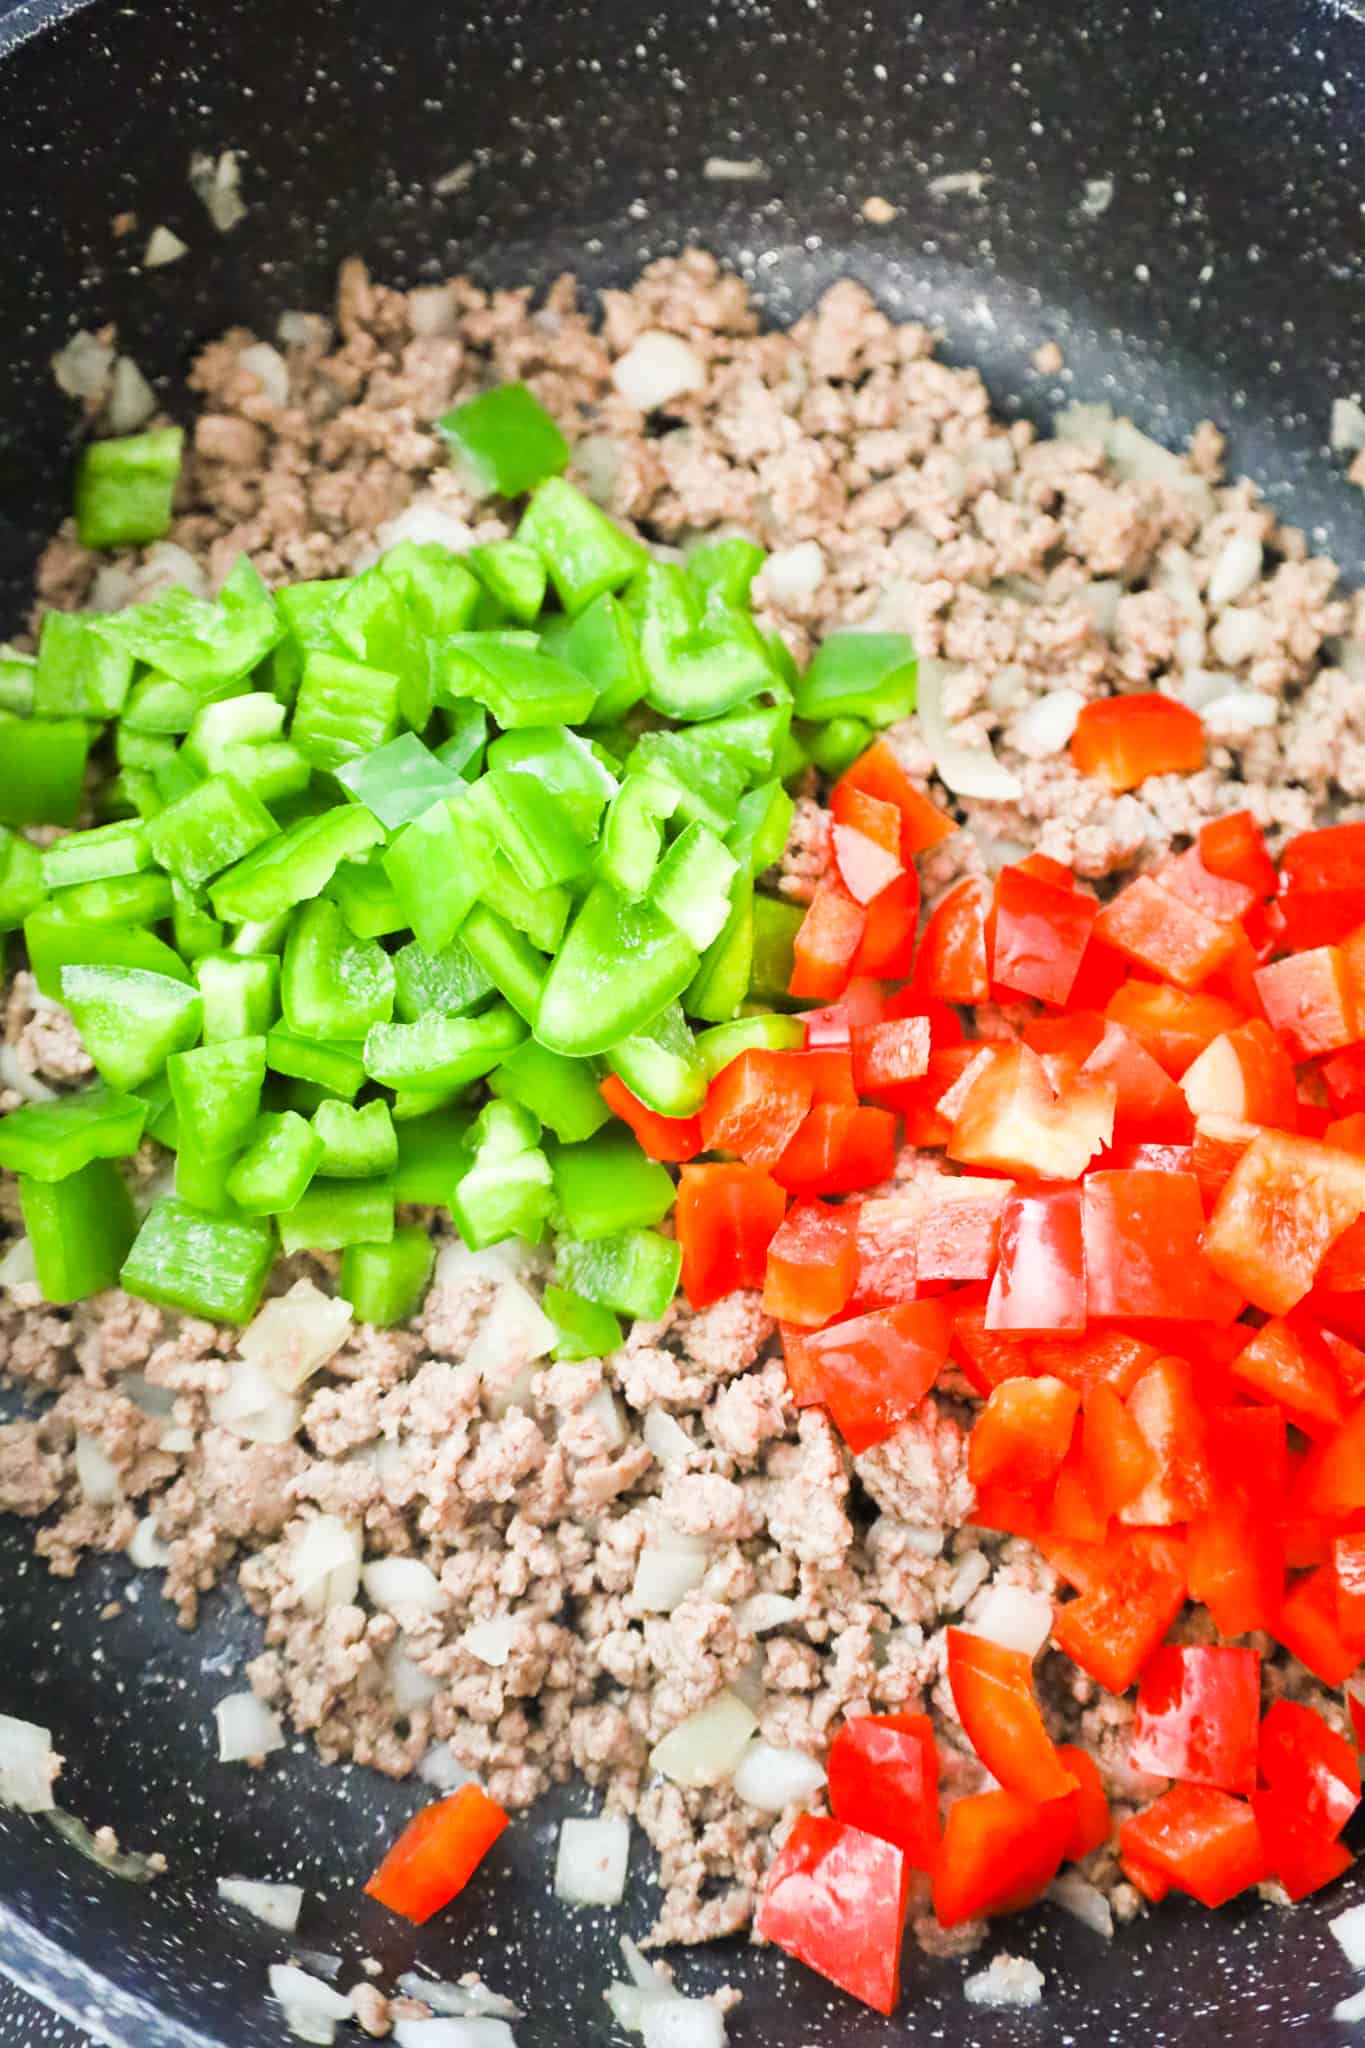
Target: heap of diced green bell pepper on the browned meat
(390,873)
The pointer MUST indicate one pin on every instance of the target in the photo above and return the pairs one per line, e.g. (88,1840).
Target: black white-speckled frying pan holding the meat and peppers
(1225,280)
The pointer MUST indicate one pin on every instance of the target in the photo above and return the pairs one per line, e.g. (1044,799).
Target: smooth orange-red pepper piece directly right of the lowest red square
(1000,1854)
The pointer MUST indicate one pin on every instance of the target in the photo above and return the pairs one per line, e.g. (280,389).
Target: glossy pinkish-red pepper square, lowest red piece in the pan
(836,1900)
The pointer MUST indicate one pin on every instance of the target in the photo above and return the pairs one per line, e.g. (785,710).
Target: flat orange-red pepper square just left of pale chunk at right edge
(1145,1250)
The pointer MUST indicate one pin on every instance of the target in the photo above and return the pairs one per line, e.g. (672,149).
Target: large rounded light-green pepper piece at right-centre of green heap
(619,966)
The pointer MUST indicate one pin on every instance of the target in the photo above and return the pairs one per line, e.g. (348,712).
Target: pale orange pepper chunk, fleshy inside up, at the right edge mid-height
(1282,1207)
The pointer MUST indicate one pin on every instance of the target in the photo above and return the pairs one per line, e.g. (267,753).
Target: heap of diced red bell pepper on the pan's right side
(1149,1265)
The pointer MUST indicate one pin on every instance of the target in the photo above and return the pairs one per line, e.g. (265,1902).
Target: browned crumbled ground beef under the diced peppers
(887,497)
